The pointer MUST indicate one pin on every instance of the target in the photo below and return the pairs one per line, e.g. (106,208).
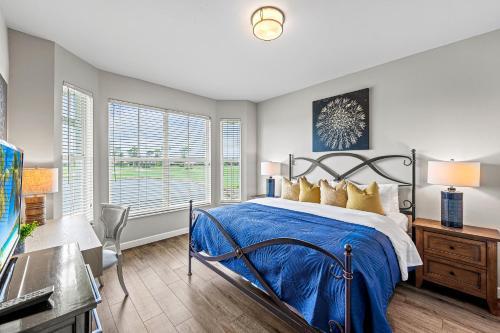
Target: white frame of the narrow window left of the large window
(88,151)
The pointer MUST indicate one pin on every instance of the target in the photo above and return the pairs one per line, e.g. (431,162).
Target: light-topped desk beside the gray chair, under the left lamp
(66,230)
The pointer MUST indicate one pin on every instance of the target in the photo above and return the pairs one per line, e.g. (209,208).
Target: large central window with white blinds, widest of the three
(158,159)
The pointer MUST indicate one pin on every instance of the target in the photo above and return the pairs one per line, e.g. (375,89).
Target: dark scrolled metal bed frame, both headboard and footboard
(271,301)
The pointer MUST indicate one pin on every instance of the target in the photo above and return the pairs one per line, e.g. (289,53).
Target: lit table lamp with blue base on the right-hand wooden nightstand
(462,174)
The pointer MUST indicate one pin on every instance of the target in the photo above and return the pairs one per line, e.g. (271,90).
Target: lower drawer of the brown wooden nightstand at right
(469,279)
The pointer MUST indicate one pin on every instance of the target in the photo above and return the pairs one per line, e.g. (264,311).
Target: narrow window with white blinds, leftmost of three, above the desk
(77,152)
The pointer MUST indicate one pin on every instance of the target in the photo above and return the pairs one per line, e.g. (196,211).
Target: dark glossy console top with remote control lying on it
(64,268)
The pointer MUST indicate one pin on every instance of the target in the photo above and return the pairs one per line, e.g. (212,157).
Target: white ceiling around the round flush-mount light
(206,46)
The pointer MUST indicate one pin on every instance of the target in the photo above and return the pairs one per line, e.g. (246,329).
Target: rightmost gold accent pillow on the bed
(367,199)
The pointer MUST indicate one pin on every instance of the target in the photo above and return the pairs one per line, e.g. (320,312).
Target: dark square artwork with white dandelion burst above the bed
(341,122)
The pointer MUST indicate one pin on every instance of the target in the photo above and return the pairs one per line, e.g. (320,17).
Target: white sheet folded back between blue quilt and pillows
(406,251)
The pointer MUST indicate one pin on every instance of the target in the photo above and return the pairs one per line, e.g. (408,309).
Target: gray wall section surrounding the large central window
(113,86)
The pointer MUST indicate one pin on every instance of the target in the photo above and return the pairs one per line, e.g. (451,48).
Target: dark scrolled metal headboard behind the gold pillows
(408,205)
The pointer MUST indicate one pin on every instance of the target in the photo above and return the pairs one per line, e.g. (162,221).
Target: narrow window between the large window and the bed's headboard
(231,159)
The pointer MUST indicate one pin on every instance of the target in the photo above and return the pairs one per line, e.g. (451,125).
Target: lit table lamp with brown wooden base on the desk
(37,182)
